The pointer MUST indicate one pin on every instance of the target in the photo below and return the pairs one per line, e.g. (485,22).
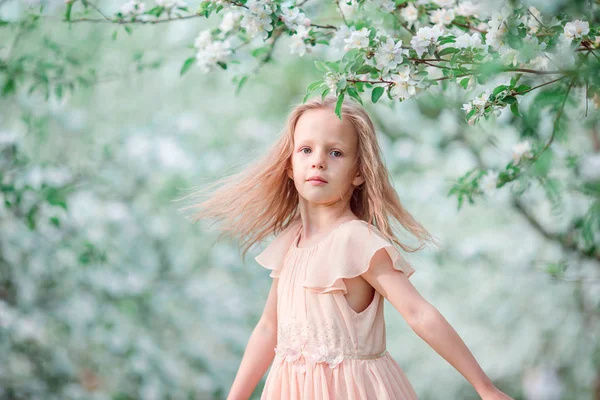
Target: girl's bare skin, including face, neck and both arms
(327,147)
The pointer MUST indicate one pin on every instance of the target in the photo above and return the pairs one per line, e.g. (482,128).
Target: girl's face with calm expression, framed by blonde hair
(325,147)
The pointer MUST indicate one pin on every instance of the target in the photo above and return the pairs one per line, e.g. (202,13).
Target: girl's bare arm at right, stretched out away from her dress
(428,323)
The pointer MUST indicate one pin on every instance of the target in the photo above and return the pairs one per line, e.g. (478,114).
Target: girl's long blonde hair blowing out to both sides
(262,199)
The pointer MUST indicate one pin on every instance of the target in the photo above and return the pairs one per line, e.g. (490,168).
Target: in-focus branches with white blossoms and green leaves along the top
(402,48)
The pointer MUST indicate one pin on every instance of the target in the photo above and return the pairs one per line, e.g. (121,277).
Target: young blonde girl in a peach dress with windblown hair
(325,190)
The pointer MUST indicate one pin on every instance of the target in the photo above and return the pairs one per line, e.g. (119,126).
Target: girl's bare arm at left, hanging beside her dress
(259,351)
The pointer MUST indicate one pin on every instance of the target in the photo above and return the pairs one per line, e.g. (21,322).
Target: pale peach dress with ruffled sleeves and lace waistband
(326,350)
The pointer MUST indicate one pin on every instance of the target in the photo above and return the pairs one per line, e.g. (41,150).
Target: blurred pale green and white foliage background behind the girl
(108,292)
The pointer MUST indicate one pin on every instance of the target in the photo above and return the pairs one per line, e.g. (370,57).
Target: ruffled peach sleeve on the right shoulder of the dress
(349,255)
